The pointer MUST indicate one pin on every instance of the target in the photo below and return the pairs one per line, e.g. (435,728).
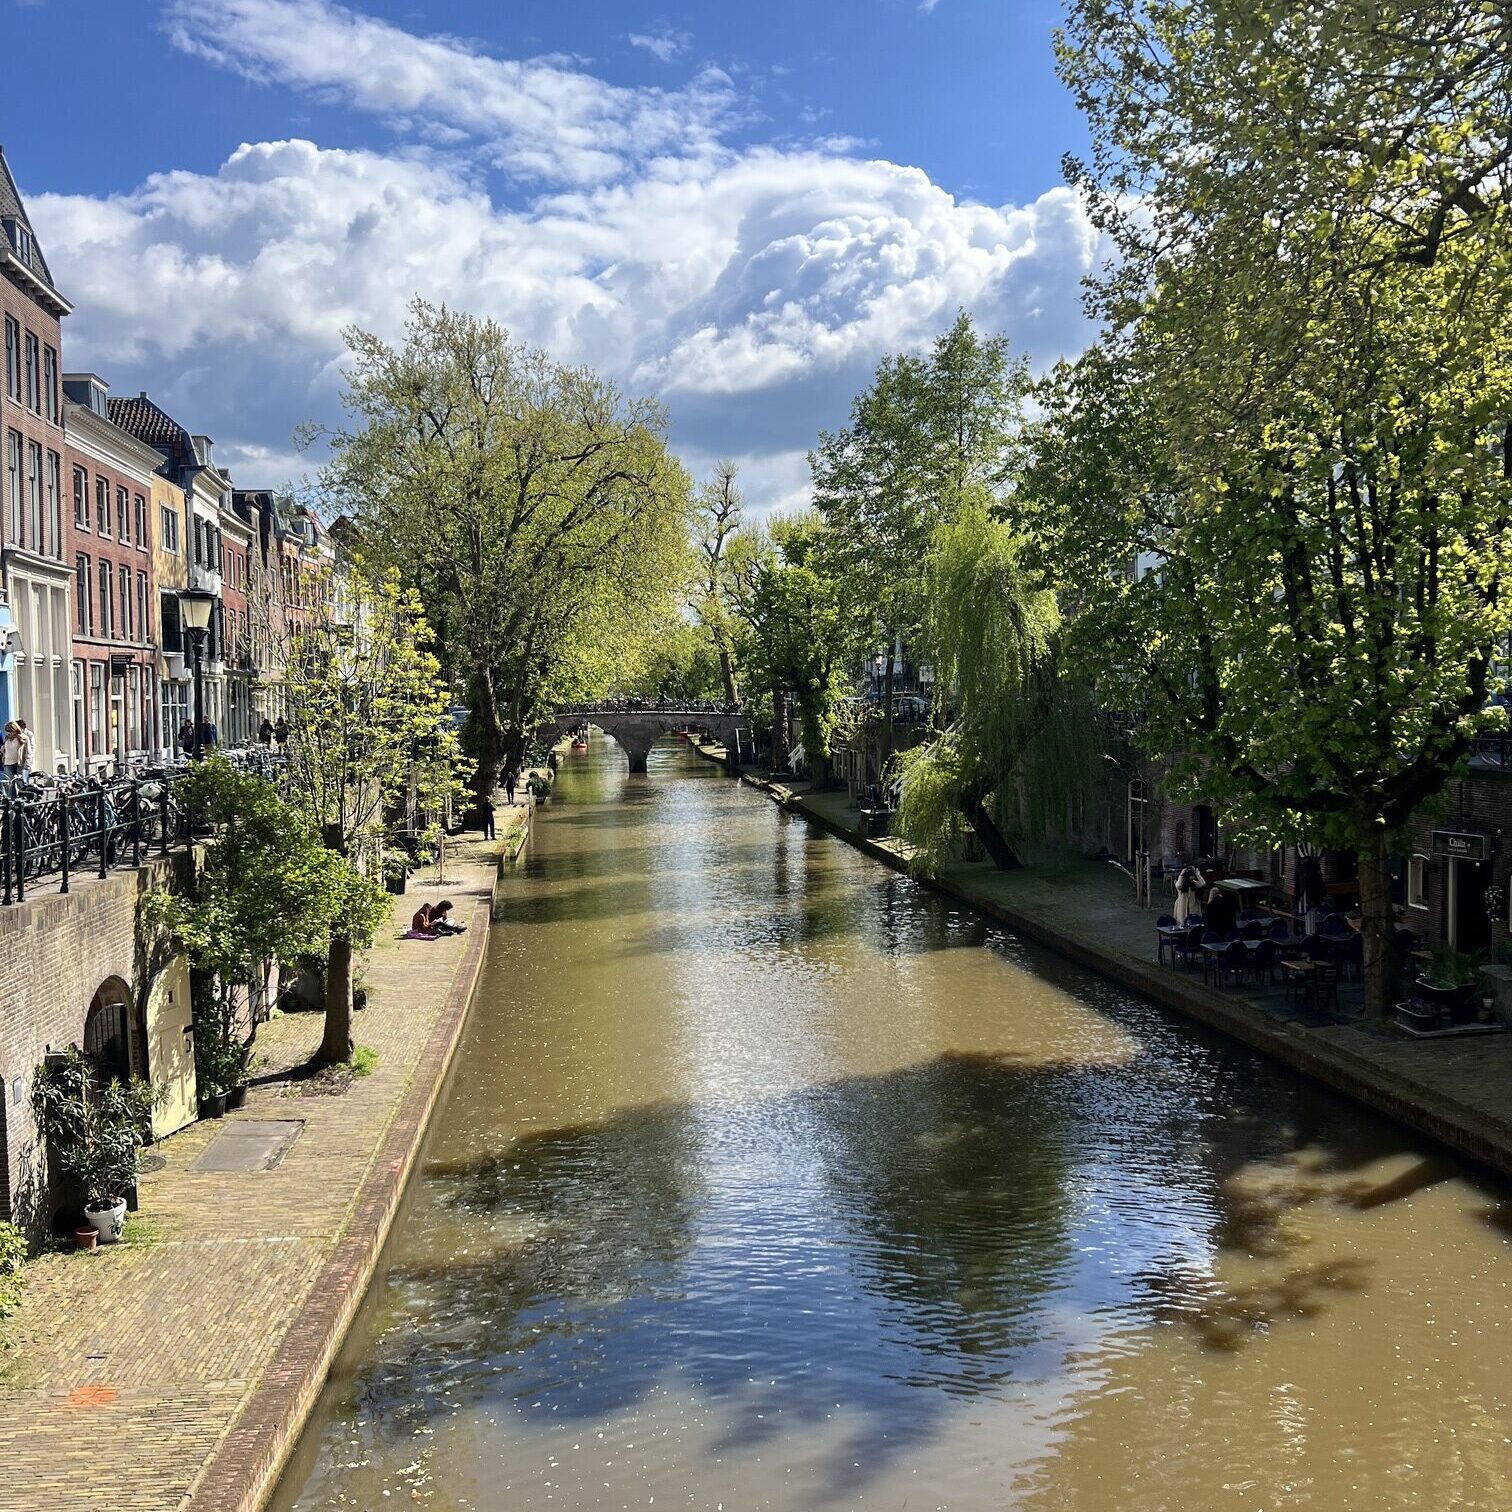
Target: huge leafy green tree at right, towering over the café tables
(1292,448)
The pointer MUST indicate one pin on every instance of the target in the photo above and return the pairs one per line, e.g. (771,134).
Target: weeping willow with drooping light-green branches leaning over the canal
(1018,740)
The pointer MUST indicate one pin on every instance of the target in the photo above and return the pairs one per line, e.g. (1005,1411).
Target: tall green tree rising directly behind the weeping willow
(926,433)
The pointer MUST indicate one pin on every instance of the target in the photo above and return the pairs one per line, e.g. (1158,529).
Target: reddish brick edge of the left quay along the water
(244,1469)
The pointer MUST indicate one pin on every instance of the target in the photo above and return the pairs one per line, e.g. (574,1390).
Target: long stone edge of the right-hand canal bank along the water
(1464,1130)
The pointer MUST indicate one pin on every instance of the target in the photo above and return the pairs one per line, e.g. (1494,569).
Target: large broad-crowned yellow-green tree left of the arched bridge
(531,506)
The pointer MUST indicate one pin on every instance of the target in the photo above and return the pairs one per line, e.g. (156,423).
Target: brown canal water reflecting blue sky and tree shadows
(769,1180)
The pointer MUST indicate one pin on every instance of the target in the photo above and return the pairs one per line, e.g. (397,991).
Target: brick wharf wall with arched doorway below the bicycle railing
(55,955)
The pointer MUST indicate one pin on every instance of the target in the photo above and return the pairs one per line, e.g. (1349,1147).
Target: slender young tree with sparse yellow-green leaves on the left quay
(368,734)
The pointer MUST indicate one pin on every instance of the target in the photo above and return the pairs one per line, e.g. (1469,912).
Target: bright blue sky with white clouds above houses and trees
(737,206)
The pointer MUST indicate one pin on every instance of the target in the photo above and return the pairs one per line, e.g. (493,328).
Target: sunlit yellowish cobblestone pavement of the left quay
(129,1366)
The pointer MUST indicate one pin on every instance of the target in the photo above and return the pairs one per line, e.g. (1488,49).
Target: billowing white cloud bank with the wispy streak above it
(755,288)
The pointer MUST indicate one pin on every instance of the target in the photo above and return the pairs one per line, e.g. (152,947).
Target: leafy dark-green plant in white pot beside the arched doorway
(94,1130)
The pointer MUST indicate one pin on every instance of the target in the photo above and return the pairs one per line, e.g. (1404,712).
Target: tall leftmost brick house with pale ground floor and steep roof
(36,571)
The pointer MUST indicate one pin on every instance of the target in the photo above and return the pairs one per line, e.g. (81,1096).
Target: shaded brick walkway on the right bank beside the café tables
(1455,1091)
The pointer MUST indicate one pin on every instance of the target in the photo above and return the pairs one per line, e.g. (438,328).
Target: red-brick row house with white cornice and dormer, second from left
(114,677)
